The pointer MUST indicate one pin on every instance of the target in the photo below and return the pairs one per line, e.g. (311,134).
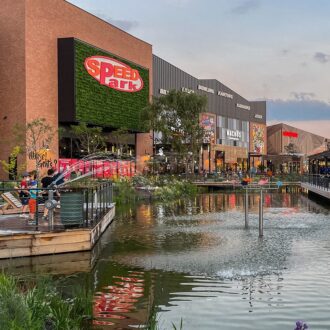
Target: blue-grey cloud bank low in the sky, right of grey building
(301,108)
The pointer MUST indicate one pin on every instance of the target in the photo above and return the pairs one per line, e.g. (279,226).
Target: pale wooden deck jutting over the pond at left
(18,239)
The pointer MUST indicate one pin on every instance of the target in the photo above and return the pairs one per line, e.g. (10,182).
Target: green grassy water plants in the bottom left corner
(38,305)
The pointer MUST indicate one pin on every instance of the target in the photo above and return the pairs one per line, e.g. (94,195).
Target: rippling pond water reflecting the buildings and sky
(193,260)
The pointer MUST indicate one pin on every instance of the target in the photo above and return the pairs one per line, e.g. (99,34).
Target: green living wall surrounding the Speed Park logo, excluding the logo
(103,106)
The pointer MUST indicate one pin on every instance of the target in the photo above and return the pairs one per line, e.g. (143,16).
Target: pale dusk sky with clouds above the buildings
(277,51)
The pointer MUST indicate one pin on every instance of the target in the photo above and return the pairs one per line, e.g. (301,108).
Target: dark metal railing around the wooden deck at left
(68,207)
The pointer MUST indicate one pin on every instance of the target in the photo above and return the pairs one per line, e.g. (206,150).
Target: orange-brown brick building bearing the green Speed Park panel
(63,64)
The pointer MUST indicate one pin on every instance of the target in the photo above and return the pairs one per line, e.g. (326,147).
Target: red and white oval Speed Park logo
(114,74)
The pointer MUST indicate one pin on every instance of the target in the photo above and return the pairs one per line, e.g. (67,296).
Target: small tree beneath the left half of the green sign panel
(90,139)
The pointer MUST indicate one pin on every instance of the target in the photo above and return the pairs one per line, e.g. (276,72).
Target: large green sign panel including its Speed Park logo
(107,91)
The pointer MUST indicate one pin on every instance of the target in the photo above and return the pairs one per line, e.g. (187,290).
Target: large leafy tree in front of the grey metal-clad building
(177,116)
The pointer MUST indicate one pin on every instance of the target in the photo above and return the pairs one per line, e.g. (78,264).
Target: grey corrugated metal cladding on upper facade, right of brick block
(167,77)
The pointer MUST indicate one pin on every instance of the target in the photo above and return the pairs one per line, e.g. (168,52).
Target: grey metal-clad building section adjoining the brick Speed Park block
(235,127)
